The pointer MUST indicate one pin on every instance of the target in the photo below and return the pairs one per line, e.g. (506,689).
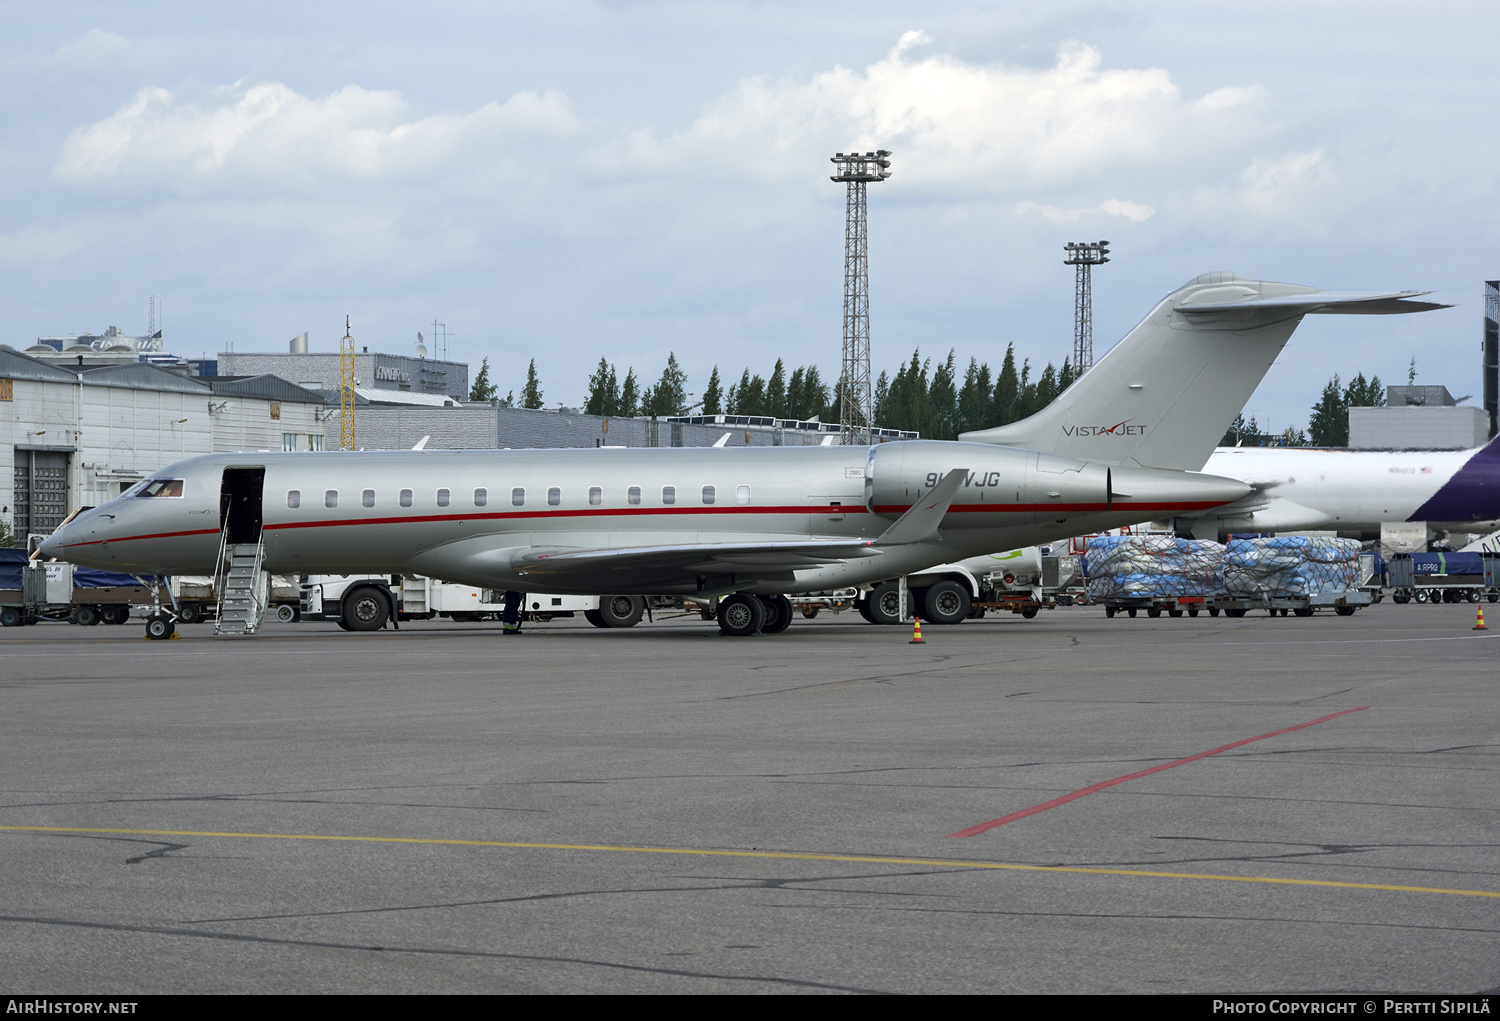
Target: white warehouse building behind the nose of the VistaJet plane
(76,439)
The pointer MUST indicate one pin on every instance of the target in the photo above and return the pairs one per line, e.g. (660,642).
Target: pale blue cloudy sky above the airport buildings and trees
(575,181)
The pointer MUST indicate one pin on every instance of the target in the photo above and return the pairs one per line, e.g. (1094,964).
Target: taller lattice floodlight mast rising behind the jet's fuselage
(856,394)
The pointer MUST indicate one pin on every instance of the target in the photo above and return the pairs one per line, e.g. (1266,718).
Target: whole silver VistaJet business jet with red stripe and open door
(746,525)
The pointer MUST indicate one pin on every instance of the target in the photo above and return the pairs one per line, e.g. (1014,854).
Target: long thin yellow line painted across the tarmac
(704,852)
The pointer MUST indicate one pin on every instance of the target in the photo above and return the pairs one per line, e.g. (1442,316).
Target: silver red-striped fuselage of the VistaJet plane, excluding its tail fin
(656,521)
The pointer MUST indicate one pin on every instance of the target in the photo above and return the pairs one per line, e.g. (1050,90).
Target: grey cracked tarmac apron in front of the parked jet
(449,810)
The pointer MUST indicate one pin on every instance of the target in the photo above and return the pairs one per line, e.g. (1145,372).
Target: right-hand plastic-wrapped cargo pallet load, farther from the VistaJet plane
(1292,575)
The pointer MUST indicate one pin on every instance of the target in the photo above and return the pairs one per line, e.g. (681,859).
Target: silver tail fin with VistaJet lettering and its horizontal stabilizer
(1165,395)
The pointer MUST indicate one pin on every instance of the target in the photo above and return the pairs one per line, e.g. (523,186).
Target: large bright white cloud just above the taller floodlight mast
(988,127)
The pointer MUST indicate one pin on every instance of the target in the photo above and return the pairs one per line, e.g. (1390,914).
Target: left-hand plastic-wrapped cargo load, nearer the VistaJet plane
(1136,567)
